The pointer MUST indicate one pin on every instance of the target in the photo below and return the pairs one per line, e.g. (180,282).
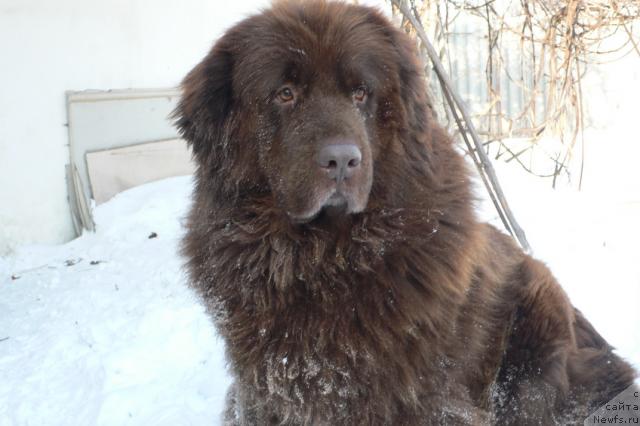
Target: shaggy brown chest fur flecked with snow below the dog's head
(350,319)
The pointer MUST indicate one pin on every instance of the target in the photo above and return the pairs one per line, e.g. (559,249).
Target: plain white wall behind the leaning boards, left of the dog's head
(47,48)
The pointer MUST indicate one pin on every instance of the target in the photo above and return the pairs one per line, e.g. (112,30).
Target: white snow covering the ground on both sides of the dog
(104,331)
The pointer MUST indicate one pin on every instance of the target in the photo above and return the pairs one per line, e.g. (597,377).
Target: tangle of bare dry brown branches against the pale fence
(527,96)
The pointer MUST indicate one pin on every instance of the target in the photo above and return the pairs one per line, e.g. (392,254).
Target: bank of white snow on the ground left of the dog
(103,330)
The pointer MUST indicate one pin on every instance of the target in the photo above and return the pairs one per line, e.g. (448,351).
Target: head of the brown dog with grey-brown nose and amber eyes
(302,102)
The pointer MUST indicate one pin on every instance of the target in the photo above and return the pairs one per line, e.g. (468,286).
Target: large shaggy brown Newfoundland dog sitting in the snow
(333,240)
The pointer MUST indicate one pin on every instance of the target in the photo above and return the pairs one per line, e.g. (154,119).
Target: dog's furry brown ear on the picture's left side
(206,101)
